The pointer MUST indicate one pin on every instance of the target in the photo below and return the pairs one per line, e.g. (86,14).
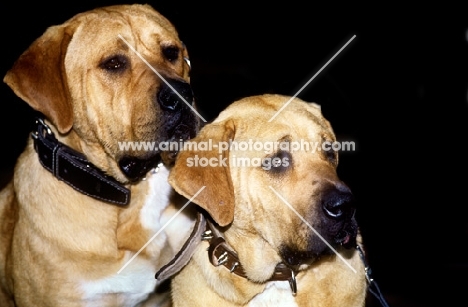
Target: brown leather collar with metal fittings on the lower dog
(220,253)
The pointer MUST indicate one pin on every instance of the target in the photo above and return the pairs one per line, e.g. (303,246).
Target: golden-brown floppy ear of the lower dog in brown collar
(209,168)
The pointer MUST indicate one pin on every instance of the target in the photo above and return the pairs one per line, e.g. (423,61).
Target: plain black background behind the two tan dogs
(399,90)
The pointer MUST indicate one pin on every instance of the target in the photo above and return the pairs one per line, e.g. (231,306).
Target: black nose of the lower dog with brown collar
(338,202)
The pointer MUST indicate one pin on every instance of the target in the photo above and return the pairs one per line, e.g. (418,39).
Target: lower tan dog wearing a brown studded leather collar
(279,211)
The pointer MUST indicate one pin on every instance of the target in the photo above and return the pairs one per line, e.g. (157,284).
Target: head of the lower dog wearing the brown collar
(278,201)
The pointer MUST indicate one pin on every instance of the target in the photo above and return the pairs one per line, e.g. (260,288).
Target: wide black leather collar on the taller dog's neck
(72,167)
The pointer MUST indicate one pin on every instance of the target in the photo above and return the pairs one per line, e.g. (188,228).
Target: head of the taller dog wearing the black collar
(110,76)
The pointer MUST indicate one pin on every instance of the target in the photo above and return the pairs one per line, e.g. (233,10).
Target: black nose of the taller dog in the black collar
(171,98)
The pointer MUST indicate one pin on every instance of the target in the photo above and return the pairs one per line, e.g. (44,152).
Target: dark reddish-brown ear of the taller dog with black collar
(38,77)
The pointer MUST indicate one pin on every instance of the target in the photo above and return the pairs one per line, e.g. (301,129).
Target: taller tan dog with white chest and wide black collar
(80,207)
